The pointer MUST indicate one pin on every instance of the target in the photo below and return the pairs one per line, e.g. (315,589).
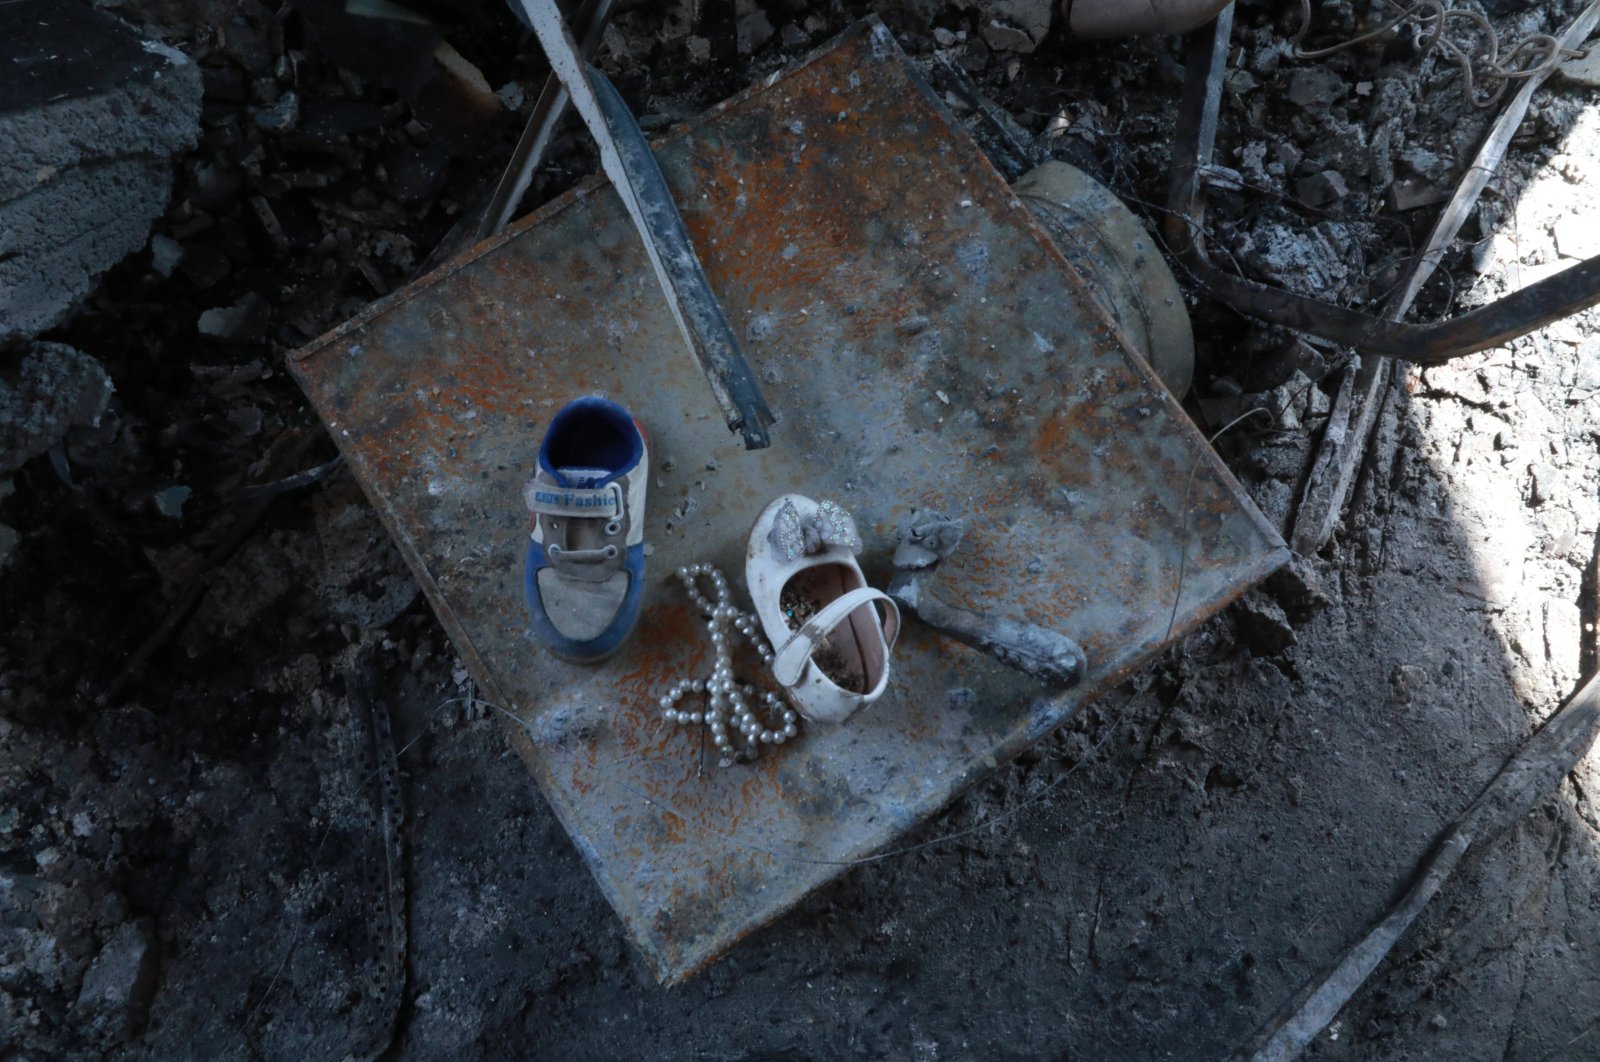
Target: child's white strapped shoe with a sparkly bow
(830,639)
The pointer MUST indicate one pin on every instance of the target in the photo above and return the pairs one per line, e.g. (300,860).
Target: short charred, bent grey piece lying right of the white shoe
(1030,649)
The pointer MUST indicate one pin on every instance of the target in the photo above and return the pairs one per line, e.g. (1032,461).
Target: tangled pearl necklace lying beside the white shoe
(729,701)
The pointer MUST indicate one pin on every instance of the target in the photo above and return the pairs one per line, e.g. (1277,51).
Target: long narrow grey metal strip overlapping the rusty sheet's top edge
(628,161)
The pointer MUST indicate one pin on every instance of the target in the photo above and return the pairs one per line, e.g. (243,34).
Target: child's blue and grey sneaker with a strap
(585,580)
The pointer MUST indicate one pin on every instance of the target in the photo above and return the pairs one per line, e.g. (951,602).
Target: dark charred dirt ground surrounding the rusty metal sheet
(185,871)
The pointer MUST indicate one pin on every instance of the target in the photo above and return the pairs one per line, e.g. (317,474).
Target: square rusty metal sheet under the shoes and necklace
(922,346)
